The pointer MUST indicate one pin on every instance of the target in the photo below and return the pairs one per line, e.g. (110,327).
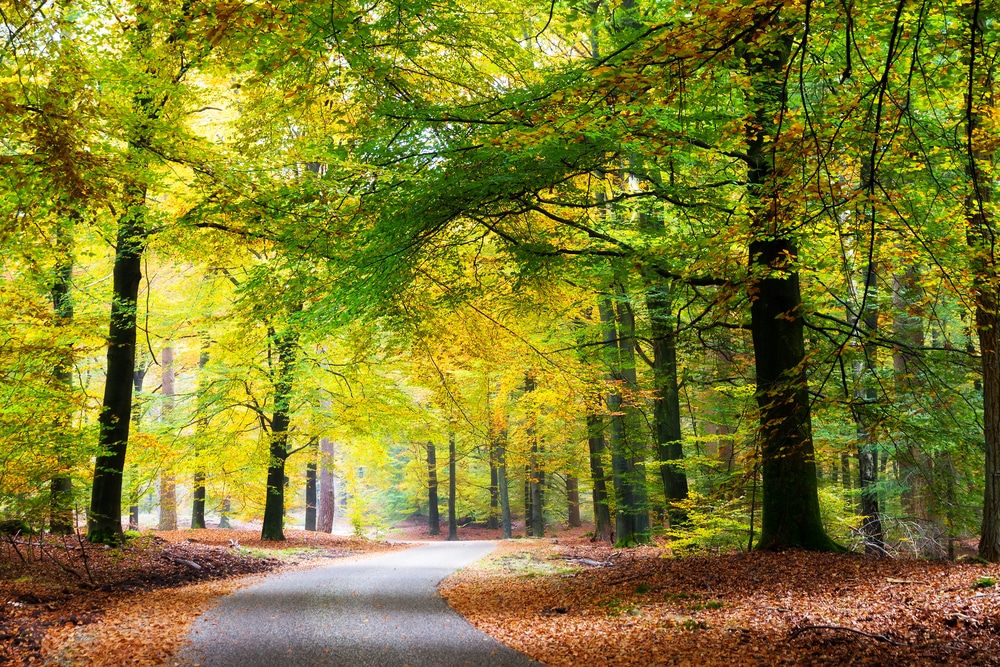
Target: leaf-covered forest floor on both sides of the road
(562,600)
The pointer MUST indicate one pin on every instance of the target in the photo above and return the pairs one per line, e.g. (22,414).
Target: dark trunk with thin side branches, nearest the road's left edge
(285,345)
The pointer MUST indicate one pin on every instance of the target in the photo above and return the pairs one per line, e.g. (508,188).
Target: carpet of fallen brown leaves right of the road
(635,607)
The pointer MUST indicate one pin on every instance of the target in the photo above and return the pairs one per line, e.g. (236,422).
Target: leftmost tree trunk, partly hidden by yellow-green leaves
(61,520)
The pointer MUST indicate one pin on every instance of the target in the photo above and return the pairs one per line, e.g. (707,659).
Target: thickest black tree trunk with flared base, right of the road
(790,503)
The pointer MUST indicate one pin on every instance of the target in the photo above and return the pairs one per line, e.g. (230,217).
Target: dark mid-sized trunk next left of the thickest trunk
(666,404)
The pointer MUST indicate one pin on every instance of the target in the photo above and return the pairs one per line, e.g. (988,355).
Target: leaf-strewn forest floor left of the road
(67,602)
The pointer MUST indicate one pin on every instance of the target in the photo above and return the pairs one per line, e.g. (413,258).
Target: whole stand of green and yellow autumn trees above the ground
(723,273)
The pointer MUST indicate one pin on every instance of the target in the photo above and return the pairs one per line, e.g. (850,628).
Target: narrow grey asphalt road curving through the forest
(382,611)
